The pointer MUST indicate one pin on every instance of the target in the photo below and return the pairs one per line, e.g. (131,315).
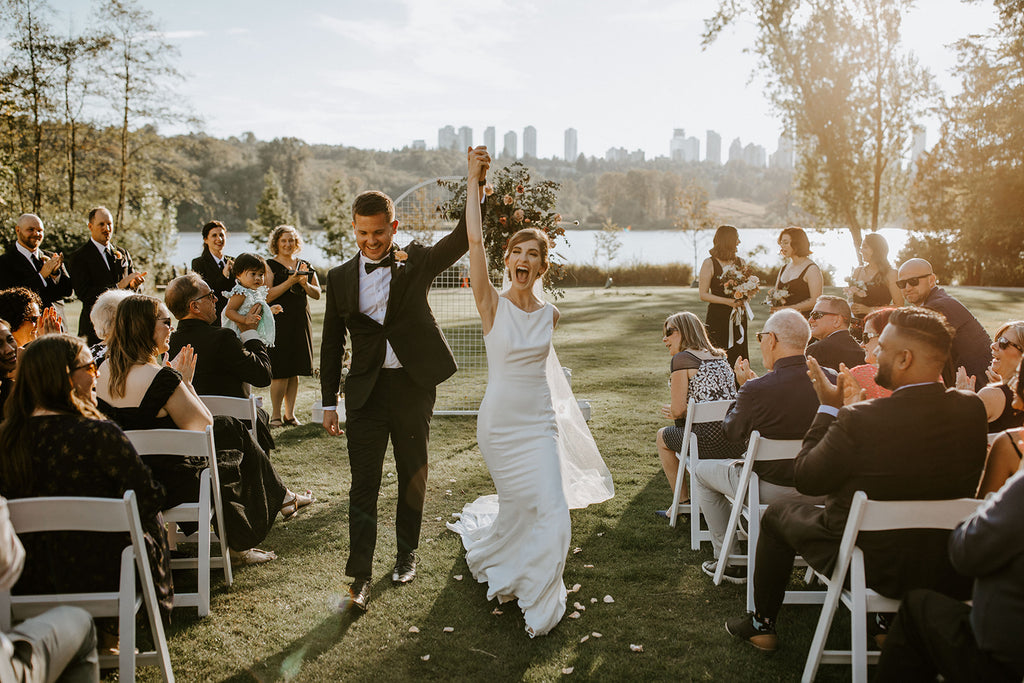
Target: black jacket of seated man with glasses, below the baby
(224,363)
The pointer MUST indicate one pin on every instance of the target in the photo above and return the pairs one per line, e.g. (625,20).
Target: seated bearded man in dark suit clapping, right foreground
(923,443)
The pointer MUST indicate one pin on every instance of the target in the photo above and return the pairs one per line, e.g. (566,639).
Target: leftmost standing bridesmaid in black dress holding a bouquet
(721,306)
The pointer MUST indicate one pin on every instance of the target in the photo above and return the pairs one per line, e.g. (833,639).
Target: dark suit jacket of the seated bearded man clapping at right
(924,443)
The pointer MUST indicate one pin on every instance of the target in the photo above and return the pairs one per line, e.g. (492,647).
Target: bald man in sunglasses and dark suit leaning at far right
(971,345)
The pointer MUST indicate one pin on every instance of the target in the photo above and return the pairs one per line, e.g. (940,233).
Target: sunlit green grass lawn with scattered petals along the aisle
(279,621)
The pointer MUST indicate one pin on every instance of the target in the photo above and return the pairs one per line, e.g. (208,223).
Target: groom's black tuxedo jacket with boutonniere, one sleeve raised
(409,325)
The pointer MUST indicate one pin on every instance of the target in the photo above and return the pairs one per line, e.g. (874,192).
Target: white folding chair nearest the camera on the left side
(29,516)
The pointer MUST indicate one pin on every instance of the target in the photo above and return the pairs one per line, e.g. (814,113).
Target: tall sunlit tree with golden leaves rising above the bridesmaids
(846,92)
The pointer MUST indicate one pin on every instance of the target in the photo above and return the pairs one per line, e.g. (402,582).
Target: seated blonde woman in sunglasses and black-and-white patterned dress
(701,372)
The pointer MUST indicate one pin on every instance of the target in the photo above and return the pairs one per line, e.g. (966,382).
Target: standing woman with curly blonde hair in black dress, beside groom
(294,283)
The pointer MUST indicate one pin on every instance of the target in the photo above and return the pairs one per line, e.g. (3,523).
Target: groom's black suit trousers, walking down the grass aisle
(400,410)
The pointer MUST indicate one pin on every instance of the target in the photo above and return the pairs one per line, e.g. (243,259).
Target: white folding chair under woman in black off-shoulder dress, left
(180,443)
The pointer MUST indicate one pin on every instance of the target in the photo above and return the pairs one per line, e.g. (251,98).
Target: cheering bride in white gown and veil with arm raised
(518,542)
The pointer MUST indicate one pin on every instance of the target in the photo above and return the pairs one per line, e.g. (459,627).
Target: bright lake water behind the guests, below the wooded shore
(832,248)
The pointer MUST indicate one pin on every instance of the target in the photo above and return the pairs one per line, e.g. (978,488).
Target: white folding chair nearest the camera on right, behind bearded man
(868,516)
